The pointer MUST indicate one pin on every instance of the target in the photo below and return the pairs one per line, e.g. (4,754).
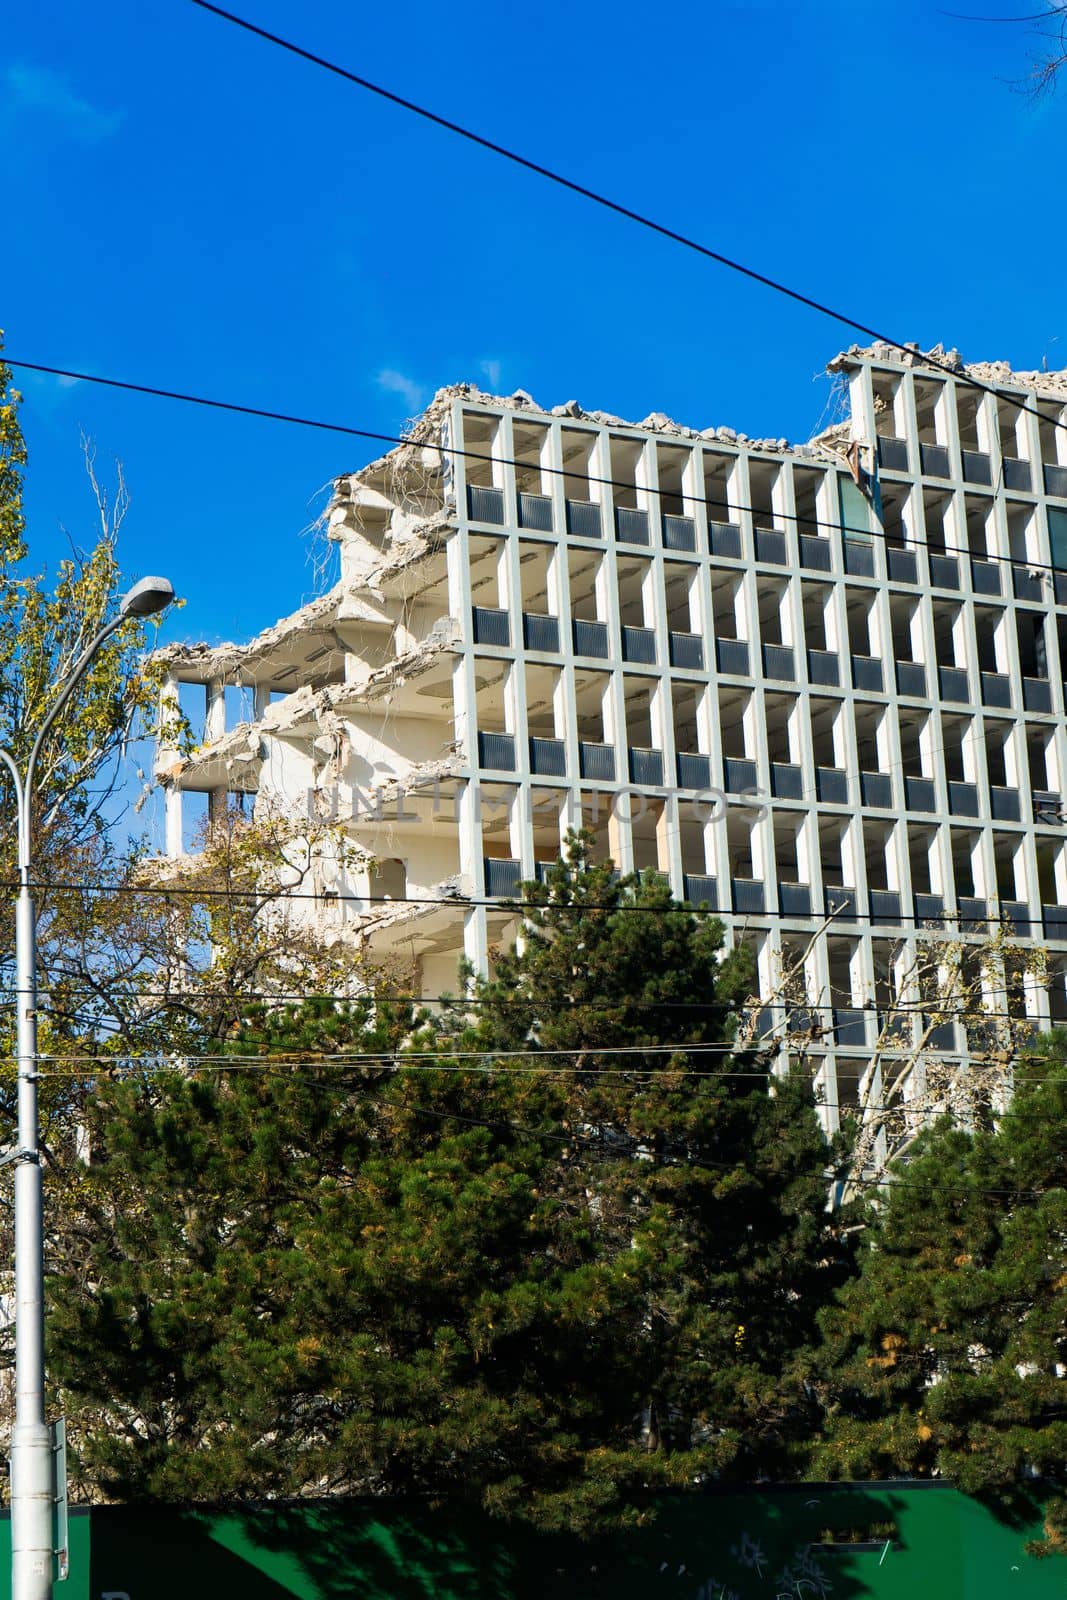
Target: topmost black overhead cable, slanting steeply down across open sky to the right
(589,194)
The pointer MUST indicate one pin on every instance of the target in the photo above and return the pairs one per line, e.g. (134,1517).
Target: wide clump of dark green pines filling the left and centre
(546,1282)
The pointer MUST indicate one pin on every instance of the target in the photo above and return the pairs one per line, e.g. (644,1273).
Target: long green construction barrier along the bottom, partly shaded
(881,1542)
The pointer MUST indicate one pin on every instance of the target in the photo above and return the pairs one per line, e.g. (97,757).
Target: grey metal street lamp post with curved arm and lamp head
(33,1492)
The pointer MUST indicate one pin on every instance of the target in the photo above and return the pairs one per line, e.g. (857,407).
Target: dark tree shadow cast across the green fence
(701,1548)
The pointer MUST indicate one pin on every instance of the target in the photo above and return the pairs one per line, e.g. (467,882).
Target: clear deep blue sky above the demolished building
(190,207)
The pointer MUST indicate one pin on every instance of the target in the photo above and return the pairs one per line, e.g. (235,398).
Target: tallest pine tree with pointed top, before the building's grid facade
(705,1170)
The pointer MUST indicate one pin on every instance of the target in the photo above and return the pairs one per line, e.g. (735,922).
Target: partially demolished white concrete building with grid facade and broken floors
(821,687)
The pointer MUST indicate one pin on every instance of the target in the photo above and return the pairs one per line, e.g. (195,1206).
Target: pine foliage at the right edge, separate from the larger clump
(948,1354)
